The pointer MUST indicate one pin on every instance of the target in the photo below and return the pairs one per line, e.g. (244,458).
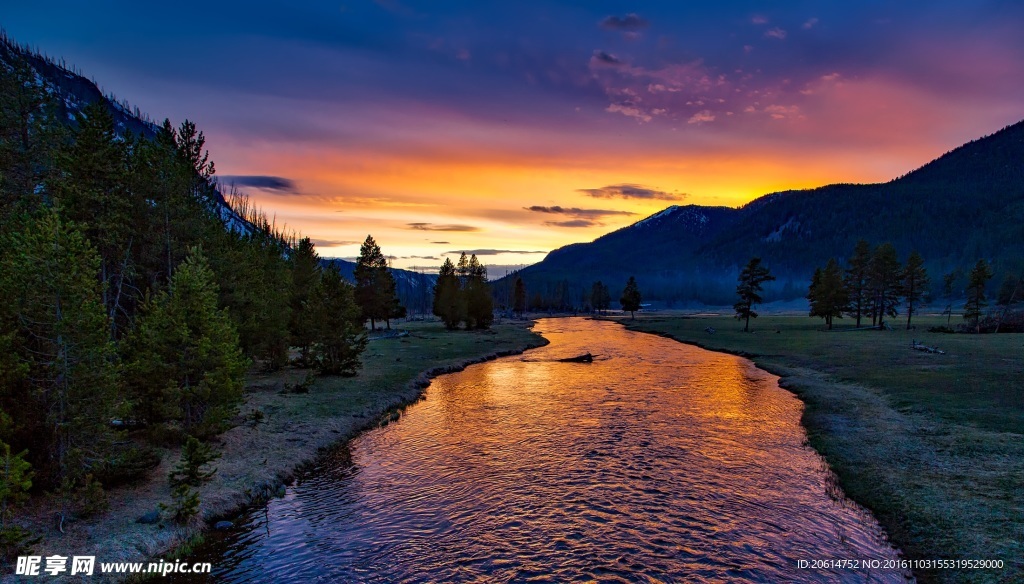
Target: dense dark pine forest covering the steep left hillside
(136,297)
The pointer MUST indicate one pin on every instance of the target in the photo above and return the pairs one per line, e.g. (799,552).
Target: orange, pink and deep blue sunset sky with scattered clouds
(515,129)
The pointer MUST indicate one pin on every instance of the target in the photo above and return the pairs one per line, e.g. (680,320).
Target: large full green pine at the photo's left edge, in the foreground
(62,374)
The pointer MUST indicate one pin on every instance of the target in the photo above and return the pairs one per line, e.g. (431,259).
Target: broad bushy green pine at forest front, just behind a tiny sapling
(184,360)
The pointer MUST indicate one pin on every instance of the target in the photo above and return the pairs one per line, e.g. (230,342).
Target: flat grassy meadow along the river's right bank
(932,444)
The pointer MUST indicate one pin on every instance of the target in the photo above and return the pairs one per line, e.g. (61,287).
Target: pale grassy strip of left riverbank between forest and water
(279,434)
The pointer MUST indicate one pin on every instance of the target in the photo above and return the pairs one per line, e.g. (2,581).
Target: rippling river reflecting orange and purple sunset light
(658,463)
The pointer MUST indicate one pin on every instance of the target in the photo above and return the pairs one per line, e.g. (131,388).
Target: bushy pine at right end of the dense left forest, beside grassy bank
(340,340)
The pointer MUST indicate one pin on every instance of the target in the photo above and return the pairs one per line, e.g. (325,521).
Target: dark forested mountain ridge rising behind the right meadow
(965,205)
